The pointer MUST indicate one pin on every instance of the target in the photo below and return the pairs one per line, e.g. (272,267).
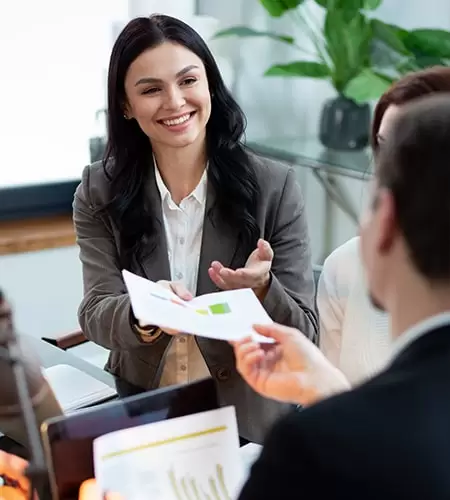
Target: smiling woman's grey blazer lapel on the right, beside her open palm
(219,242)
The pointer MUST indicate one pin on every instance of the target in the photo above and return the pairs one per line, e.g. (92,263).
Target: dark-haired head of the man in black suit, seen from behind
(405,236)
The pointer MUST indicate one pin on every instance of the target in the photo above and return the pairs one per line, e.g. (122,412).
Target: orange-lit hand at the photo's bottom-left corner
(15,485)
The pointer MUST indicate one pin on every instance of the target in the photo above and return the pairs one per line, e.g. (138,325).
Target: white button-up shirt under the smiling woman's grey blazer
(183,225)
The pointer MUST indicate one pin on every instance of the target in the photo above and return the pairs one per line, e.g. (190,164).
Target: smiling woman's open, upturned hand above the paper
(255,274)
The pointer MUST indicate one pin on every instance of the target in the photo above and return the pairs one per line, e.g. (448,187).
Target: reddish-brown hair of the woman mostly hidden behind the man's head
(412,86)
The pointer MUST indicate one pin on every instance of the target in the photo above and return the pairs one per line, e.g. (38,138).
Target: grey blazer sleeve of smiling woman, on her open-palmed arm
(290,297)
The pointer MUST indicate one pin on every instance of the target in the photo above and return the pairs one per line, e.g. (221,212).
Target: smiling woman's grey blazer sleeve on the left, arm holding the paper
(105,313)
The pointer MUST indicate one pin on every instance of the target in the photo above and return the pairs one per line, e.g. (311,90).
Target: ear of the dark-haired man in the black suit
(386,220)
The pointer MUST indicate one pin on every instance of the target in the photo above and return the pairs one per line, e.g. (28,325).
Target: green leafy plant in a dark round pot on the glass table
(359,55)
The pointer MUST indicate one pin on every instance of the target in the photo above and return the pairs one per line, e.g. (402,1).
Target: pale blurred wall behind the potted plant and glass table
(276,106)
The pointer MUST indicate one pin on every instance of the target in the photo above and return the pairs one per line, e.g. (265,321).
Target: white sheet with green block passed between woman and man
(228,315)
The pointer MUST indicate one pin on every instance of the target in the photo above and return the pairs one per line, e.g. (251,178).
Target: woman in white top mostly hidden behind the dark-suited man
(353,333)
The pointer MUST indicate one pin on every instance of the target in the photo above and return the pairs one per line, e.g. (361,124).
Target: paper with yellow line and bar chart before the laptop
(195,457)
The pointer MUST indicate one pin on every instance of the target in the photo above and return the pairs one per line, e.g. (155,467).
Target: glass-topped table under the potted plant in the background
(327,166)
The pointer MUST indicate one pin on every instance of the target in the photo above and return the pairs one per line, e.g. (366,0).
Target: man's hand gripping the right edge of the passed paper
(292,370)
